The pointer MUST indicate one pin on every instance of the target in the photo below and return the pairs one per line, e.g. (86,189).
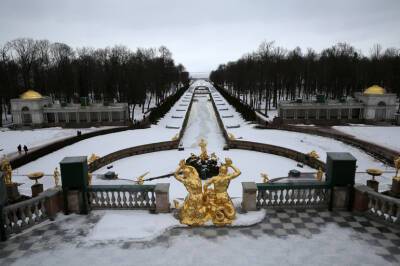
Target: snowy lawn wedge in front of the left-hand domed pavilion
(10,139)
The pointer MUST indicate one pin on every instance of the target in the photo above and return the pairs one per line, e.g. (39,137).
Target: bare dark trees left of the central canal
(66,74)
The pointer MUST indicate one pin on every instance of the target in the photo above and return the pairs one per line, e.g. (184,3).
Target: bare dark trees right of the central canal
(272,73)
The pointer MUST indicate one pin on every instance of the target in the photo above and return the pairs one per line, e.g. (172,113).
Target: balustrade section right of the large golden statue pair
(306,195)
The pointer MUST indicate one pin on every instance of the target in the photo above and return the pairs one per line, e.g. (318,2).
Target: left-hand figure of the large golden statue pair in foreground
(193,211)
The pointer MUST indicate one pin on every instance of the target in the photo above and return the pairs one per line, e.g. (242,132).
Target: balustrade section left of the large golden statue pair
(122,197)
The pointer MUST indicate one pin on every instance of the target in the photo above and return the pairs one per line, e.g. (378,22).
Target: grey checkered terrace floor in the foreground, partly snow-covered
(293,237)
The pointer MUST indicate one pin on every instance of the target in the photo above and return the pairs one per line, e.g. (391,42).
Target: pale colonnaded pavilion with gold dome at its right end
(374,105)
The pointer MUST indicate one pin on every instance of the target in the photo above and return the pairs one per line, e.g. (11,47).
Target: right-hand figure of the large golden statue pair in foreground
(219,204)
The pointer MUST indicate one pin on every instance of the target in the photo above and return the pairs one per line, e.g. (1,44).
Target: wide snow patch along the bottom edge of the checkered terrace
(333,246)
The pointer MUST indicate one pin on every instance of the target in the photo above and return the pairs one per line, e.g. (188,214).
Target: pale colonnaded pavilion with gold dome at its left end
(33,109)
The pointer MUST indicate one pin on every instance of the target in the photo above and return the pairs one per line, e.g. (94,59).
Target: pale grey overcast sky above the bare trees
(204,33)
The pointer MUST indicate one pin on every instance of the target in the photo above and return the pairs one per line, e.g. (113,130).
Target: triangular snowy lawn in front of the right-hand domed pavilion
(385,136)
